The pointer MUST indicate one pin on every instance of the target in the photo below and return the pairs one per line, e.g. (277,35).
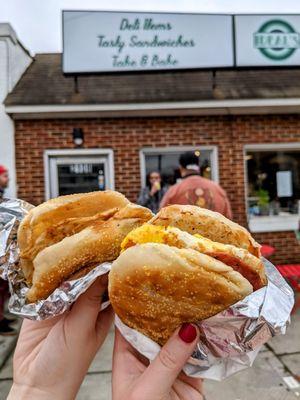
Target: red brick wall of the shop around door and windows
(127,136)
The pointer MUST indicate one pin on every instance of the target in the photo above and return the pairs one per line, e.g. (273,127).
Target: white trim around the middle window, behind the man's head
(172,149)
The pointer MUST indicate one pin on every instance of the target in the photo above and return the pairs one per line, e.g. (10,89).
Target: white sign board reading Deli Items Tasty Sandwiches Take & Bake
(99,41)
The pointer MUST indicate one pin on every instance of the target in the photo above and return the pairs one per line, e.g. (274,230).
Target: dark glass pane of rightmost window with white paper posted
(273,182)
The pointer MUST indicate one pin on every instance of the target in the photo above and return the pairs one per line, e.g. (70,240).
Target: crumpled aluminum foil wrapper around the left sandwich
(11,213)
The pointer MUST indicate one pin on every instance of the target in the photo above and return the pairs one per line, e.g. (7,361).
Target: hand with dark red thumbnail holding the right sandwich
(133,380)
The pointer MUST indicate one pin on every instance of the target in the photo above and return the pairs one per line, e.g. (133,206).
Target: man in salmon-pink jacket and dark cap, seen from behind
(196,190)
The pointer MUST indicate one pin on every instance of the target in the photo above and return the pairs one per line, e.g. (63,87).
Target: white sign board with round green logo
(267,40)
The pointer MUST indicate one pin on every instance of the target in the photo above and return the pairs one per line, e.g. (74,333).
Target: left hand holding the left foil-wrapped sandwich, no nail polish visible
(53,356)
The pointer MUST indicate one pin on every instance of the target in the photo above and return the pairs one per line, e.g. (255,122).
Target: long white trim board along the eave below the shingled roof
(207,107)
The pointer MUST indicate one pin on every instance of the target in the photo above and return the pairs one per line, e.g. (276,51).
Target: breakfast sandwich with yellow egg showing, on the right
(165,276)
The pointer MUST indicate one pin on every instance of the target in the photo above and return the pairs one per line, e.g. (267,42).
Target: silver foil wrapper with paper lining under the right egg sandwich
(230,341)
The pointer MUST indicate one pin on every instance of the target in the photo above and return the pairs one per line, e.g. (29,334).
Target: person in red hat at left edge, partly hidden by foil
(5,328)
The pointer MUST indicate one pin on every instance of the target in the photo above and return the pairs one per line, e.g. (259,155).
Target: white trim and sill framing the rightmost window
(272,223)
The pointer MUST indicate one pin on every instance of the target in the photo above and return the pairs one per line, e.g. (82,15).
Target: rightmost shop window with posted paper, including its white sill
(273,187)
